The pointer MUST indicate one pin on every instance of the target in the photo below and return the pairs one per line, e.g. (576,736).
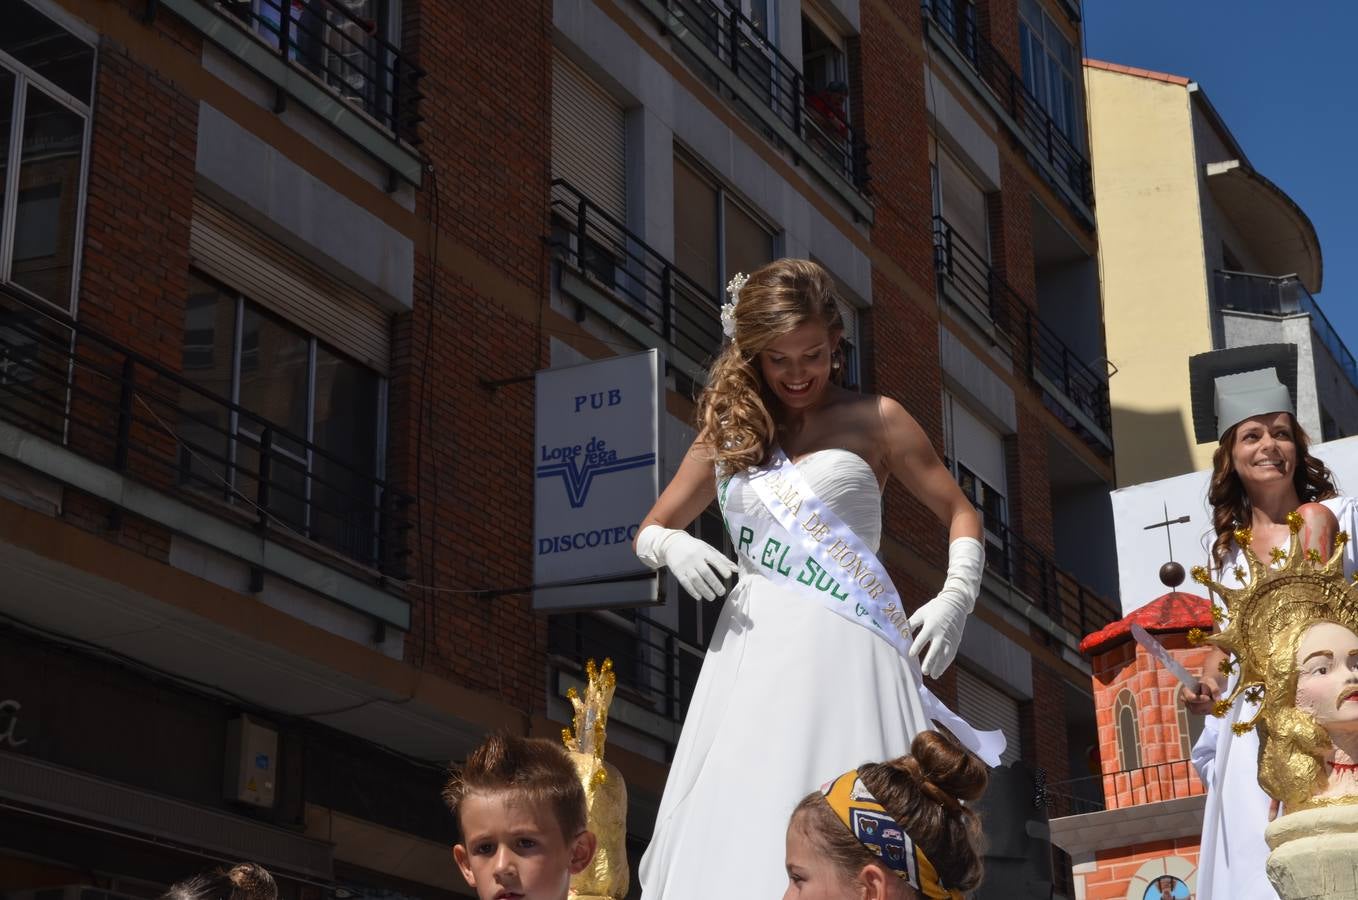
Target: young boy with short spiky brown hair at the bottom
(522,814)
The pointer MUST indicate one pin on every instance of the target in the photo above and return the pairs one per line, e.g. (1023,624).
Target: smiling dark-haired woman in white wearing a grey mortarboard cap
(1262,472)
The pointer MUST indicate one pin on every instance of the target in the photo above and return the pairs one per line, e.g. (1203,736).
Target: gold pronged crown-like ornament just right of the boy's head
(606,793)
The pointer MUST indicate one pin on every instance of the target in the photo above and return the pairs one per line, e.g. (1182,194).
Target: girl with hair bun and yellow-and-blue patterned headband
(892,831)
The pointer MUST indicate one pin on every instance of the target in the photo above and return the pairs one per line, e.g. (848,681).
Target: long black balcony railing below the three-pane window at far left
(105,402)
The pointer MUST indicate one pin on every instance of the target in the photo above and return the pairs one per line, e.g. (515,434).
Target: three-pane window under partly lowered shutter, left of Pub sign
(320,413)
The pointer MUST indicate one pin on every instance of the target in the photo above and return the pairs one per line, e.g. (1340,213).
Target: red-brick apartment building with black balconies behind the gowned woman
(275,280)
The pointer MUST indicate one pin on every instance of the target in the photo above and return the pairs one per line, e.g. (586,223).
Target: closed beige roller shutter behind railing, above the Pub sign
(589,139)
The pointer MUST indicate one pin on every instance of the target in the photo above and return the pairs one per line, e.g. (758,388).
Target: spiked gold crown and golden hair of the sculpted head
(1277,602)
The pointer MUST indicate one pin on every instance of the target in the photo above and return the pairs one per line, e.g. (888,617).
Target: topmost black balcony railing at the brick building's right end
(955,21)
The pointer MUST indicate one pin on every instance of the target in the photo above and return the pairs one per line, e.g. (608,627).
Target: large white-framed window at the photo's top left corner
(47,83)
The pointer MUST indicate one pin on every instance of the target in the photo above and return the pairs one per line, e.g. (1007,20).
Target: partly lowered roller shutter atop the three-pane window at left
(256,265)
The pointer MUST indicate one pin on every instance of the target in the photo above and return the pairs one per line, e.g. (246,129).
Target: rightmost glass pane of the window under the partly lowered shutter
(346,426)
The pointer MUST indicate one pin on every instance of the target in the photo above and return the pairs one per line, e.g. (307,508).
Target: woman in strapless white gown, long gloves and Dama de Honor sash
(790,690)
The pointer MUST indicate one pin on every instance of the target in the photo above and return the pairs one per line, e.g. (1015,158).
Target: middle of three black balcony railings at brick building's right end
(1075,392)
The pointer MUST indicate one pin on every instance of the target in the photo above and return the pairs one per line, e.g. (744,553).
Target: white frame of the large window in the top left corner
(10,212)
